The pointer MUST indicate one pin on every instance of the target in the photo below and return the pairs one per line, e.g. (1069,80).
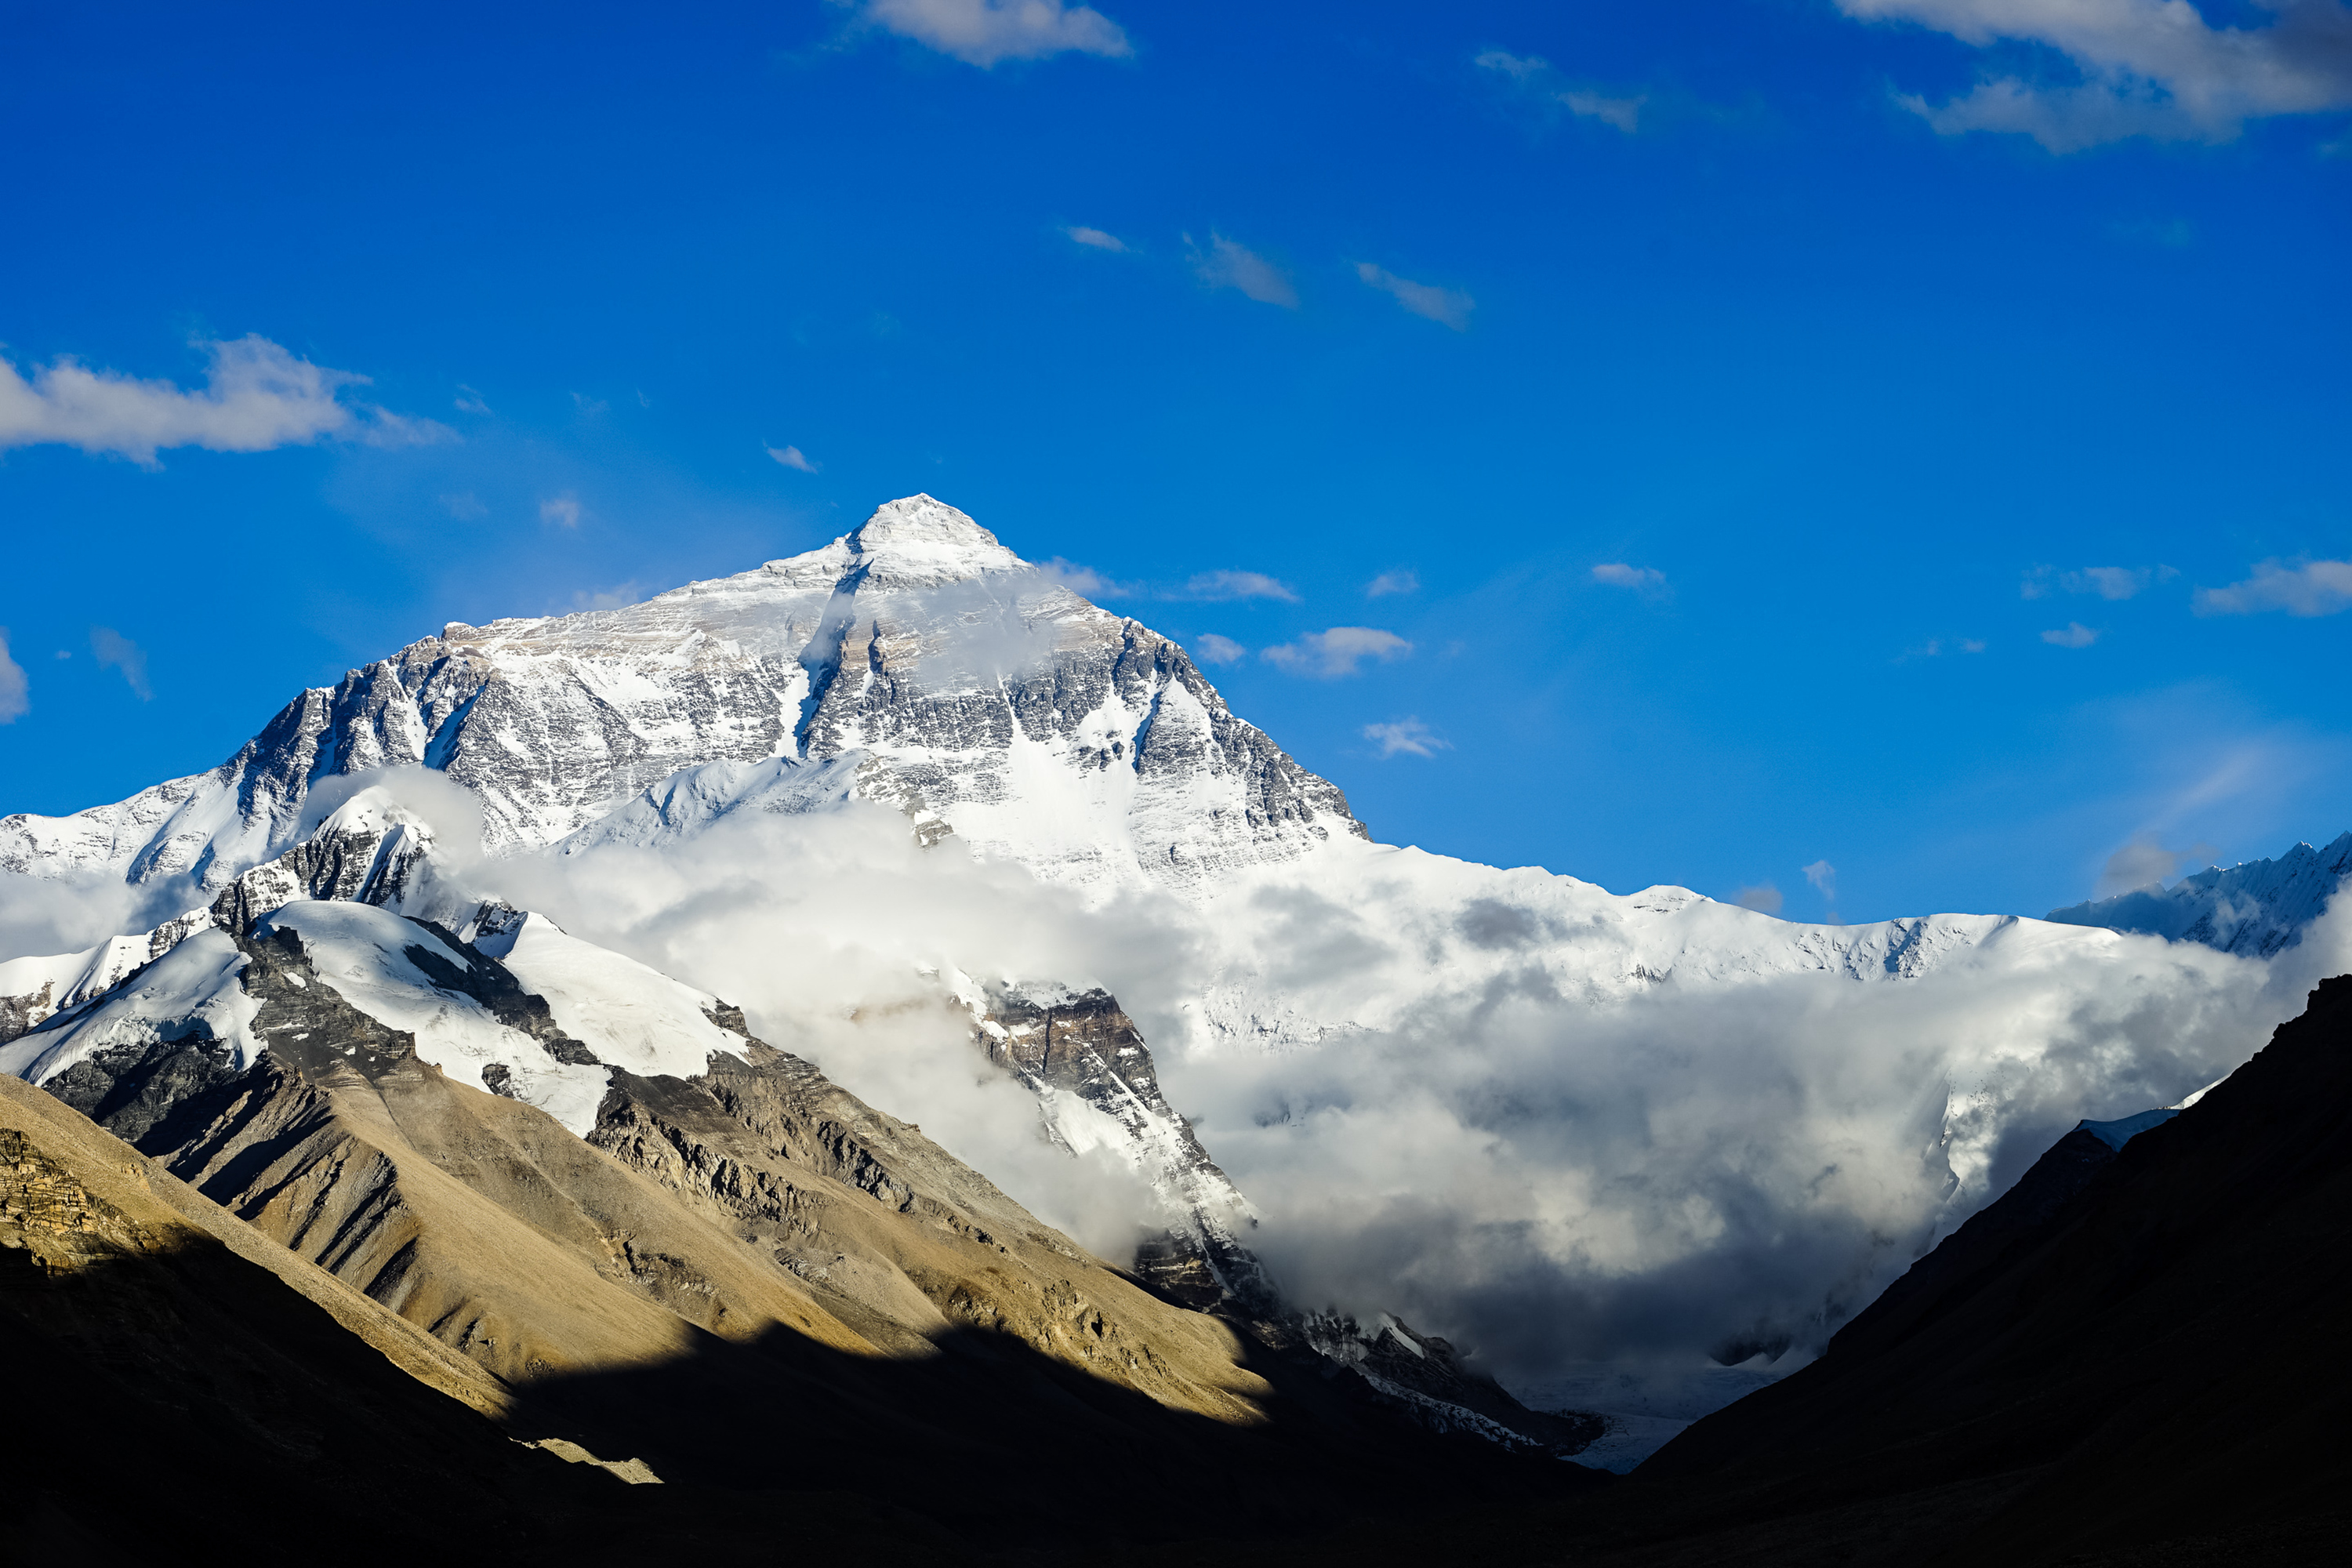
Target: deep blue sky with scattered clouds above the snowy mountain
(1899,436)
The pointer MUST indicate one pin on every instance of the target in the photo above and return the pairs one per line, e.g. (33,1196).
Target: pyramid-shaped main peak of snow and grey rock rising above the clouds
(916,645)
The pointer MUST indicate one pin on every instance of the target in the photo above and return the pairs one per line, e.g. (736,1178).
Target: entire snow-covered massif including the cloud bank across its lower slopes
(1448,1090)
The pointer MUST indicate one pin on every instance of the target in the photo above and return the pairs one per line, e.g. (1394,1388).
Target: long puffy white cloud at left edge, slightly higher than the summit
(255,398)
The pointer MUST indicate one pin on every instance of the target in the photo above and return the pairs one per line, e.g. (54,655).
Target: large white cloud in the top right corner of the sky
(2149,67)
